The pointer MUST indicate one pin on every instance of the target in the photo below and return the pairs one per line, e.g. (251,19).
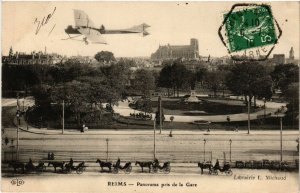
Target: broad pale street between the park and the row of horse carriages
(131,145)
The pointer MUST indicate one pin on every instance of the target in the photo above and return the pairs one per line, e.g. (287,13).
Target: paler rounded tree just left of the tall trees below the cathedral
(144,82)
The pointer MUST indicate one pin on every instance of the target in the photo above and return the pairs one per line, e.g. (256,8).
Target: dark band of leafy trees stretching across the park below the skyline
(84,88)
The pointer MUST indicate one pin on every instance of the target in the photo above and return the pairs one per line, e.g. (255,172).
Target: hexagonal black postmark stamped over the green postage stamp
(249,31)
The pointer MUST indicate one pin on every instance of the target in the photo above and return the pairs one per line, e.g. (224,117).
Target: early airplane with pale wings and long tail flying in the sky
(85,27)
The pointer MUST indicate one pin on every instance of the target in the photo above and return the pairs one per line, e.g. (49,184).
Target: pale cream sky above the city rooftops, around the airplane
(171,22)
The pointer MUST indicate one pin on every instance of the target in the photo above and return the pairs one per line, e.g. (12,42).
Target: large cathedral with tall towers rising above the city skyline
(187,52)
